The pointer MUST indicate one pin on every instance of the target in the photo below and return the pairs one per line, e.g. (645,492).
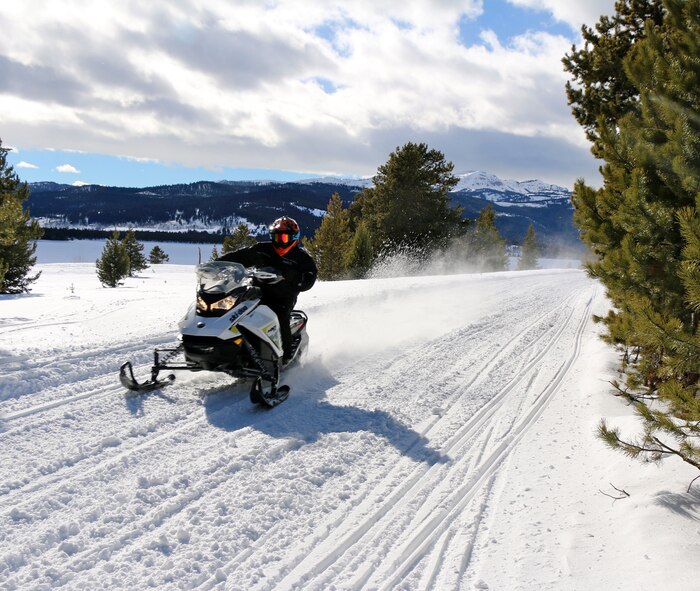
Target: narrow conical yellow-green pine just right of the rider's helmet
(331,244)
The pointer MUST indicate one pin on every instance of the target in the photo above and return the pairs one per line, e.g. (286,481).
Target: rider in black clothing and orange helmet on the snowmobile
(291,261)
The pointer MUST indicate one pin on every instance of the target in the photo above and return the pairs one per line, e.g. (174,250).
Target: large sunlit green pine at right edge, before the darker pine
(643,227)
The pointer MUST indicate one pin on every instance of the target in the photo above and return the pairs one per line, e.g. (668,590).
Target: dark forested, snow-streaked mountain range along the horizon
(217,207)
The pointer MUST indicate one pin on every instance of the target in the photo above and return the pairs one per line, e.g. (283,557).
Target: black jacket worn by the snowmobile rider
(297,267)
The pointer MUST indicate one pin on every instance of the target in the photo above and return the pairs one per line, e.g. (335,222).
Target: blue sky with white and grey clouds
(136,94)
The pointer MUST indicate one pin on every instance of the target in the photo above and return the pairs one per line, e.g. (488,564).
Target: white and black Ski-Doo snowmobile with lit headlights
(228,330)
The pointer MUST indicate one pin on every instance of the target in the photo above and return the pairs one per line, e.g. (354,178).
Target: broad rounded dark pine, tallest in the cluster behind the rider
(409,202)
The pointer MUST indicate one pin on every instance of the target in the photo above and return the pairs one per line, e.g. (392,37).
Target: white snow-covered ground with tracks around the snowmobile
(439,435)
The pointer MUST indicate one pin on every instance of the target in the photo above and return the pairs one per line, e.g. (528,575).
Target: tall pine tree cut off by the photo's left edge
(18,232)
